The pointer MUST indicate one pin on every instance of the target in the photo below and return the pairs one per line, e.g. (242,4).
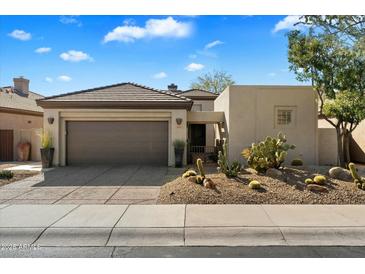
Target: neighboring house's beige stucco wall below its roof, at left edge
(26,129)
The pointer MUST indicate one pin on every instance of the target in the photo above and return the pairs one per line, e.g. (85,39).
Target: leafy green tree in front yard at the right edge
(333,66)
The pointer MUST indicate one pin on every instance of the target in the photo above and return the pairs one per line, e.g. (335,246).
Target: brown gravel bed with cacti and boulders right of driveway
(288,189)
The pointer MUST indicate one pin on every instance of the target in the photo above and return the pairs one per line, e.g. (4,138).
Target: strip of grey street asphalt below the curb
(188,252)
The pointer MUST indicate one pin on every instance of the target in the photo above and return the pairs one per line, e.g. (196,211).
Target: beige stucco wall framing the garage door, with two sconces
(61,116)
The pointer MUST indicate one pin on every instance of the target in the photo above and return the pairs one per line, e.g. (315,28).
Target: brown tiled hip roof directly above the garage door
(119,95)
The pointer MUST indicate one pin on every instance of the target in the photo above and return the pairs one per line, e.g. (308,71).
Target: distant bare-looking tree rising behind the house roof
(215,81)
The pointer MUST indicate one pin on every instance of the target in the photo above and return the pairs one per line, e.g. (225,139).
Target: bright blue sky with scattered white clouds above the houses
(65,53)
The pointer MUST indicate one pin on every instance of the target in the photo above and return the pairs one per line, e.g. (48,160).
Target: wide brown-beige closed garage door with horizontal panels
(117,143)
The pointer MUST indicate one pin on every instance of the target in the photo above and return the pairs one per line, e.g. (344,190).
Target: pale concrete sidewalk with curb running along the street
(182,225)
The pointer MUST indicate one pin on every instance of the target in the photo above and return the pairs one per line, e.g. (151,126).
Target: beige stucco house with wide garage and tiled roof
(132,124)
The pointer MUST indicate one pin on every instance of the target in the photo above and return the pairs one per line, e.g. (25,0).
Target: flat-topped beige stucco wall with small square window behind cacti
(250,116)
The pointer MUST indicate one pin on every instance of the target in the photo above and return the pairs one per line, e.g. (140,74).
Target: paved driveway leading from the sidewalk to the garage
(91,185)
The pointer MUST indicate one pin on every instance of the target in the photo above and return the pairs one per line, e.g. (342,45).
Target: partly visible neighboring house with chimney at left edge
(20,120)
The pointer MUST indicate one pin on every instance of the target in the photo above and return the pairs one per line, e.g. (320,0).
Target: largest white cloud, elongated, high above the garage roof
(168,27)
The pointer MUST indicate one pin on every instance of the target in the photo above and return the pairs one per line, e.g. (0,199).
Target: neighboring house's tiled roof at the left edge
(14,101)
